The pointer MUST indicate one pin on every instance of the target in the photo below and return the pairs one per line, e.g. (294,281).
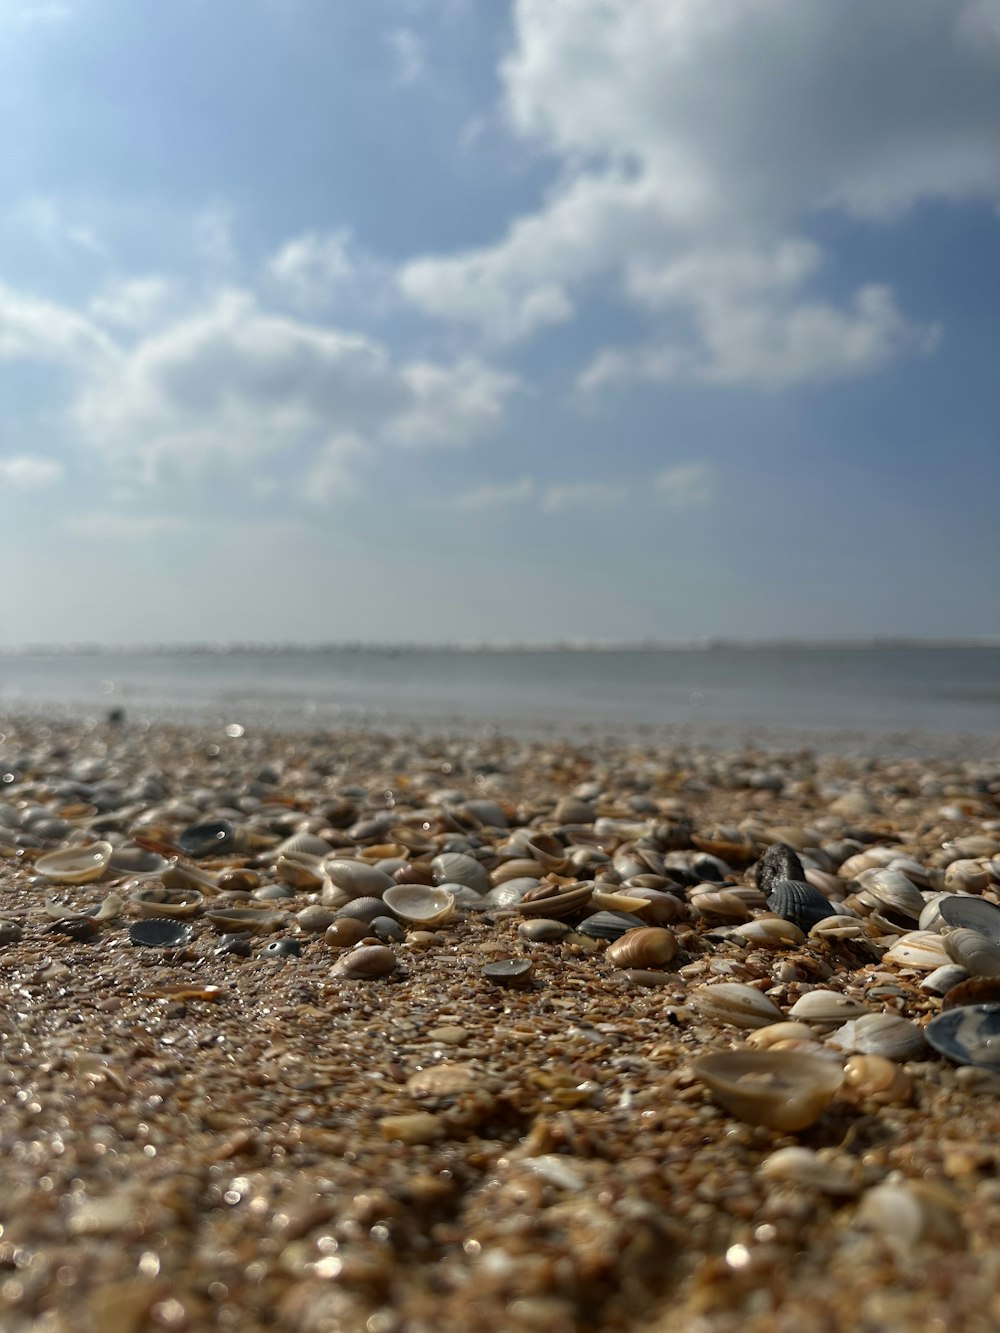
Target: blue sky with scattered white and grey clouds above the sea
(471,321)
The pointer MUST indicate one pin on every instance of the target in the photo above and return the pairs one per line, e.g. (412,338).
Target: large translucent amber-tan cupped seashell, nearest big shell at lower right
(781,1090)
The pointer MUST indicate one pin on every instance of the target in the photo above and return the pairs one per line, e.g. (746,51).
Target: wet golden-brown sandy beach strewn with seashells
(473,1108)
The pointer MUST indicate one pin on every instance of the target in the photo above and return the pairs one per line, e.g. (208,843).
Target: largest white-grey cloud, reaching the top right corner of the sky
(694,190)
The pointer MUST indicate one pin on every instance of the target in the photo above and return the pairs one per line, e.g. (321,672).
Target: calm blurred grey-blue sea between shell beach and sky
(713,692)
